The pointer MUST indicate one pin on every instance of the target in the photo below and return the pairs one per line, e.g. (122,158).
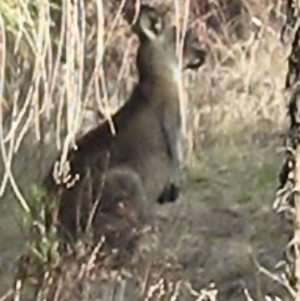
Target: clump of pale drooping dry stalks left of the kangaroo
(46,85)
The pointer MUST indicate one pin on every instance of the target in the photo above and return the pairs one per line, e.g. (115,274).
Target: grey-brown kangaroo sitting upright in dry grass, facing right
(143,153)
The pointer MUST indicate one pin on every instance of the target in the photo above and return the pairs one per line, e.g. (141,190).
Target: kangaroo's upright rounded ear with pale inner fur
(149,24)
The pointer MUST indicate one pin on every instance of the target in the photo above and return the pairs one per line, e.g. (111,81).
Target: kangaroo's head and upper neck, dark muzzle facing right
(157,56)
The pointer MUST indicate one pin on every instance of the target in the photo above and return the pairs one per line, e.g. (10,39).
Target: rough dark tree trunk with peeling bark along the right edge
(288,202)
